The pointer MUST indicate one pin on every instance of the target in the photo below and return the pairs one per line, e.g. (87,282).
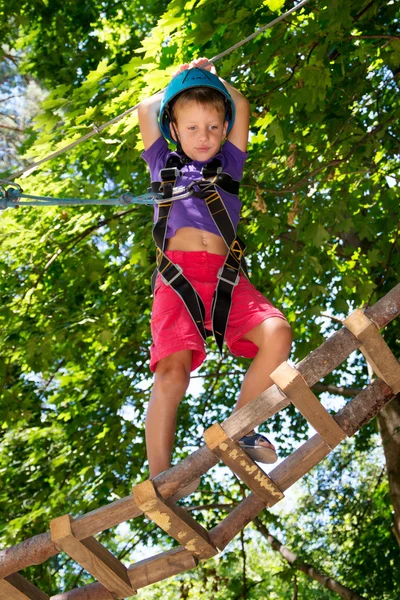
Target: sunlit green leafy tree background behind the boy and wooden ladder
(321,220)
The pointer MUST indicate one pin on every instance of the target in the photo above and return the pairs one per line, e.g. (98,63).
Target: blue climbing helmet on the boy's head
(186,80)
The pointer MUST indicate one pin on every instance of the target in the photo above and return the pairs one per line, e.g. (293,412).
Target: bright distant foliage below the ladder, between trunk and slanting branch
(342,506)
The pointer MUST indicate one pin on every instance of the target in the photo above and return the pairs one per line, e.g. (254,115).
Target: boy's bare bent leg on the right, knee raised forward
(273,337)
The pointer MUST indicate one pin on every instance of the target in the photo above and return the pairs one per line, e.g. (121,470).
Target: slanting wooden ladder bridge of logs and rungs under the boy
(151,498)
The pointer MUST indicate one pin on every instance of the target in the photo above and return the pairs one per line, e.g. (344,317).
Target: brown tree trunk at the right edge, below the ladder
(389,426)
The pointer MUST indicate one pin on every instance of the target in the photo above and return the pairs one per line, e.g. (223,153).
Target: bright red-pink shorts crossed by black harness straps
(172,327)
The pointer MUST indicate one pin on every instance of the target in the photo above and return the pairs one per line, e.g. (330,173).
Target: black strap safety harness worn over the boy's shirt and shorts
(228,276)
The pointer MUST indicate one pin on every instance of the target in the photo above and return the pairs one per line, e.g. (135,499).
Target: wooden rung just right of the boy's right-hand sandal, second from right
(293,385)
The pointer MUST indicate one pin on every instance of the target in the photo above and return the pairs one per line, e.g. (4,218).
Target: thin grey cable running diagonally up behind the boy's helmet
(99,129)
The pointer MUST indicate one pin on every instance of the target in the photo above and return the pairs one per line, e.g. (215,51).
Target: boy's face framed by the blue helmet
(201,129)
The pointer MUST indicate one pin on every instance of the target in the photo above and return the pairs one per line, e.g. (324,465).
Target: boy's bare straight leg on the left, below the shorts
(171,381)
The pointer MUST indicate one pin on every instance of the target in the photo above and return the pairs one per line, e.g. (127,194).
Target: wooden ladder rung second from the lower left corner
(93,557)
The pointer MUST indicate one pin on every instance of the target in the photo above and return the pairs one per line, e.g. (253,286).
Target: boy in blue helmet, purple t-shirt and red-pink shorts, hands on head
(198,119)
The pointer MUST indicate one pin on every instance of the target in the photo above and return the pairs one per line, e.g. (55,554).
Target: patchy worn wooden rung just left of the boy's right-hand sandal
(240,463)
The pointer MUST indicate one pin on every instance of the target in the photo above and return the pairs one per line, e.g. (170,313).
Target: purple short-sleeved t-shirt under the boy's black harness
(193,212)
